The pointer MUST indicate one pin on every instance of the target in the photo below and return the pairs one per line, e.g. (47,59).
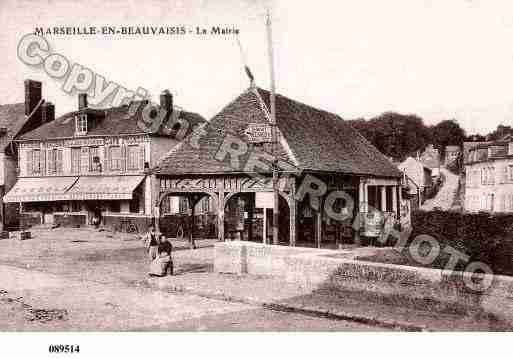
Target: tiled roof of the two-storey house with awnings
(113,121)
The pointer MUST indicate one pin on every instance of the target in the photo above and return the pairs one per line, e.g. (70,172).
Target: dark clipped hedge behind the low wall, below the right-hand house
(481,236)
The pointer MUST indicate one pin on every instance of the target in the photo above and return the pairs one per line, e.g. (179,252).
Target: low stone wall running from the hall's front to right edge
(328,269)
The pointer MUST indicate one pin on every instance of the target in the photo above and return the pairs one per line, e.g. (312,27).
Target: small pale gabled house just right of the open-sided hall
(418,177)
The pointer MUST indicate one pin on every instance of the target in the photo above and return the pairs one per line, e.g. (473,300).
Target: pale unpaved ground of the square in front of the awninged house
(84,280)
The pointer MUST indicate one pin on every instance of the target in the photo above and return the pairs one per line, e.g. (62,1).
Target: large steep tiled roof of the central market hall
(313,140)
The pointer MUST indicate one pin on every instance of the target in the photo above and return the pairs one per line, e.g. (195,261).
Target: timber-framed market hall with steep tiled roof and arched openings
(227,165)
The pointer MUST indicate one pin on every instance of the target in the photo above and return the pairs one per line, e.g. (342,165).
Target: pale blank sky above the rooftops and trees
(438,59)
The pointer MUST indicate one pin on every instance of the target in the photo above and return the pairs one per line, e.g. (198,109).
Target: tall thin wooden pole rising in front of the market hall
(273,131)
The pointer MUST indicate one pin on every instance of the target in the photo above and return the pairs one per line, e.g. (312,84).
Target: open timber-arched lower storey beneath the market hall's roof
(242,206)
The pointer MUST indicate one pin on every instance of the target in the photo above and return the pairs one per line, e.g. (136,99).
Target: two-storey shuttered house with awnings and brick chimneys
(90,166)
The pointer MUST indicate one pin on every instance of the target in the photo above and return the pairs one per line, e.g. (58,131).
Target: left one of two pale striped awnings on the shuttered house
(40,189)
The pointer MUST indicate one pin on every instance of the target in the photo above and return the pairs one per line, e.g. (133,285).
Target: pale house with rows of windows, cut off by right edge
(489,177)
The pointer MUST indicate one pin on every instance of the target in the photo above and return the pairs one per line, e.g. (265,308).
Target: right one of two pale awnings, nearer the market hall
(104,187)
